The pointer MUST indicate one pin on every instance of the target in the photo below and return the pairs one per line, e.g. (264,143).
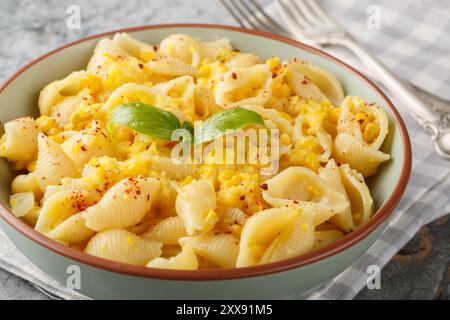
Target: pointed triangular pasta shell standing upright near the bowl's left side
(52,164)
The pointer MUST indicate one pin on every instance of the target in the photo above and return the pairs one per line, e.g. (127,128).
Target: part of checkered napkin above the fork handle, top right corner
(413,38)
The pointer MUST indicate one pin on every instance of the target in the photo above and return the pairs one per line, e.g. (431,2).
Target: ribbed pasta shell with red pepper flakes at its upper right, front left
(124,205)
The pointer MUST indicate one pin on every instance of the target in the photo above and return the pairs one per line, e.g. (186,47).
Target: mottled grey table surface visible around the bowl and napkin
(30,28)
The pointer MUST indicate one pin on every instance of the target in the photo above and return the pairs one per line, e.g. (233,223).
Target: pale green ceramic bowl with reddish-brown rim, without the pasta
(104,279)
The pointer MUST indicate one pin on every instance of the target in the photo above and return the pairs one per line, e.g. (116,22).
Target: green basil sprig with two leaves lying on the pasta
(158,123)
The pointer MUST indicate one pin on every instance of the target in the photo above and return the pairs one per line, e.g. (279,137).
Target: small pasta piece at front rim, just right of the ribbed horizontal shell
(185,260)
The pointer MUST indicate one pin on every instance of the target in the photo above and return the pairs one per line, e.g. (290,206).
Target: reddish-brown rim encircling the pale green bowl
(222,274)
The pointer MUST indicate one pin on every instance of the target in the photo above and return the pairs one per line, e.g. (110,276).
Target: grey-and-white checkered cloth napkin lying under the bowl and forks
(428,193)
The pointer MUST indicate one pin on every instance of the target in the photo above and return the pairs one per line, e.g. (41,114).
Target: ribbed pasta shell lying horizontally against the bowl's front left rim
(123,246)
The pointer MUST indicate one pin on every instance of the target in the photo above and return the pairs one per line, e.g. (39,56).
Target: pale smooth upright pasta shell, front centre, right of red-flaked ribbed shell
(196,204)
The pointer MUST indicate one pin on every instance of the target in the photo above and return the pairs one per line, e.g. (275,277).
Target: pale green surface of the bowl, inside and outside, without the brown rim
(19,98)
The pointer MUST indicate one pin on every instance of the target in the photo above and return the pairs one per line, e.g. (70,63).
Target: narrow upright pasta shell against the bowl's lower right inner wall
(358,193)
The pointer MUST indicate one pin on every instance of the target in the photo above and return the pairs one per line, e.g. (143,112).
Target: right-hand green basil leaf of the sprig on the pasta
(230,119)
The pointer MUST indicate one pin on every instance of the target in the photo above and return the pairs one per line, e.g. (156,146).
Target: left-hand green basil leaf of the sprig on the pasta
(145,119)
